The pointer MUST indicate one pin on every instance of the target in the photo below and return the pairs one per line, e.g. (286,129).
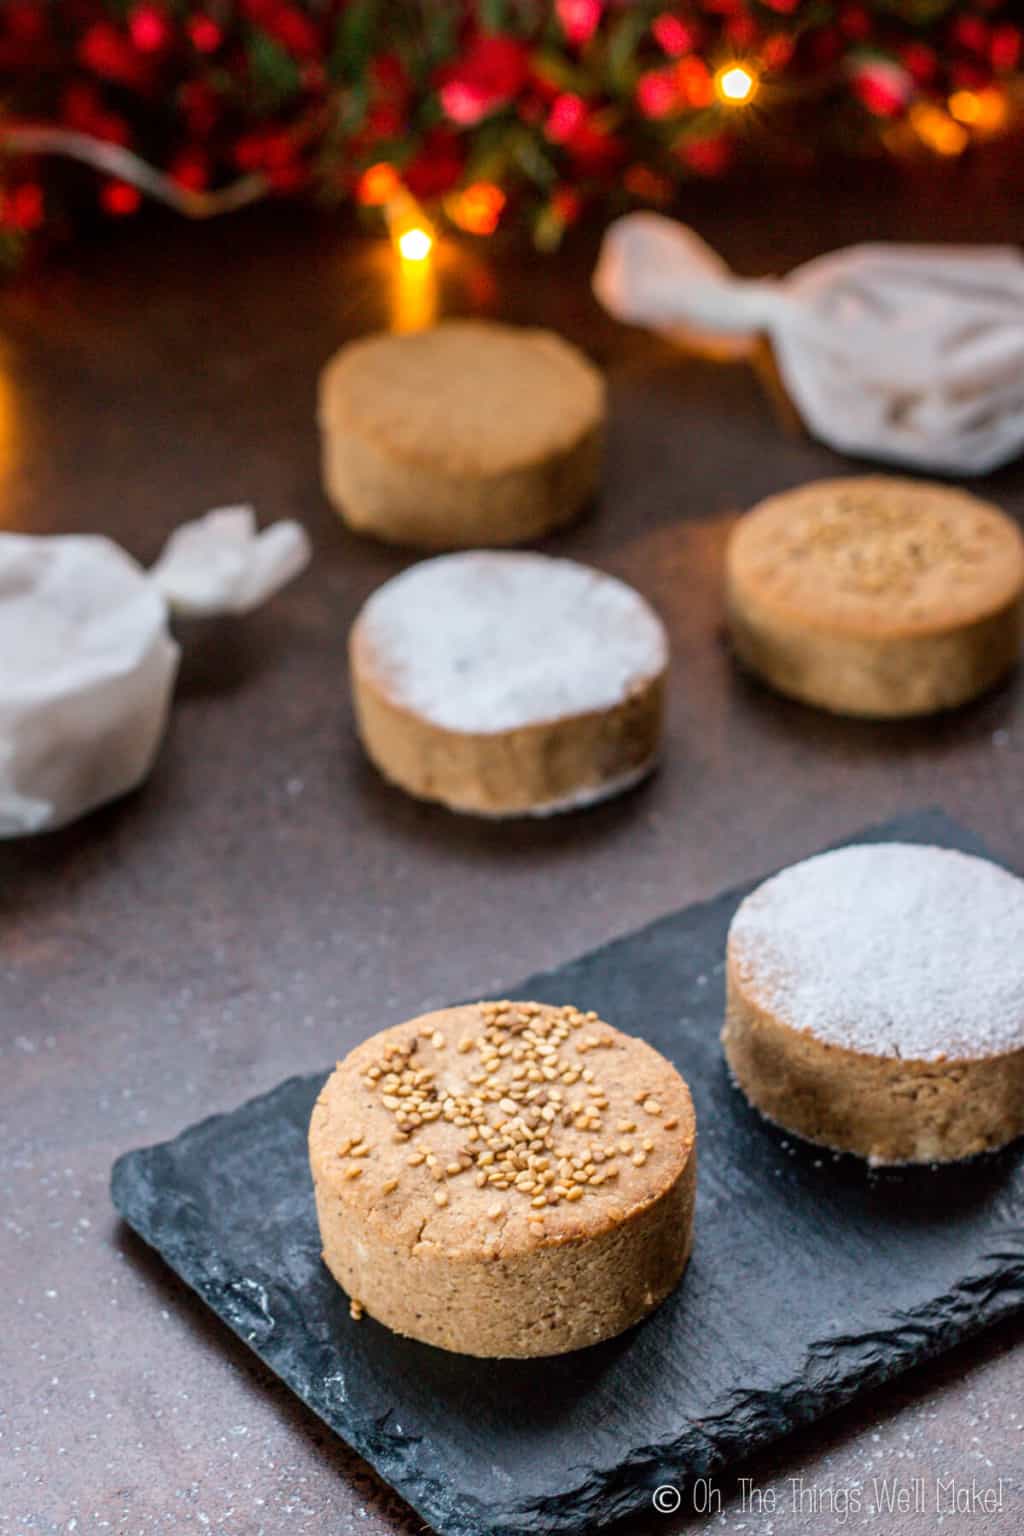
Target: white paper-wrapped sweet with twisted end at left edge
(88,661)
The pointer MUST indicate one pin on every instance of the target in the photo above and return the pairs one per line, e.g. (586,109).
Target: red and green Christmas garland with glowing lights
(481,108)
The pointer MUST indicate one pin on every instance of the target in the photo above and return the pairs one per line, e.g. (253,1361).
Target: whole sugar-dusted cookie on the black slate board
(876,1002)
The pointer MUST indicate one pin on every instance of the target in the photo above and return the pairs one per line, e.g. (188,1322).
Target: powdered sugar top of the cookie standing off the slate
(487,641)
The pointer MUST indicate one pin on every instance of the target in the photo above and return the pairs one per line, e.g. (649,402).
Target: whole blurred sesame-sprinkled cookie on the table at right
(876,597)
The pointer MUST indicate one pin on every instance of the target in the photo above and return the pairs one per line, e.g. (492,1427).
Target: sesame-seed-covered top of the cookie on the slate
(498,1128)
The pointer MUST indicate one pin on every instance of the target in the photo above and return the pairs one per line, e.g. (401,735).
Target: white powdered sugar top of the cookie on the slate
(890,950)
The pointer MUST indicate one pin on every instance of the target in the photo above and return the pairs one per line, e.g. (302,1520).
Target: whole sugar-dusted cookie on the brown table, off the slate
(509,684)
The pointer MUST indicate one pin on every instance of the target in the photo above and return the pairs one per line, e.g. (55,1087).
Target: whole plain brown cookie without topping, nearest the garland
(471,434)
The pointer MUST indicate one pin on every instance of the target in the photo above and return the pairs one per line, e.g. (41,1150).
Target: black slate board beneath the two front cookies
(811,1277)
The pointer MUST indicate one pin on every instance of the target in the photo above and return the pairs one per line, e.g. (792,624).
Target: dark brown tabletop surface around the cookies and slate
(265,901)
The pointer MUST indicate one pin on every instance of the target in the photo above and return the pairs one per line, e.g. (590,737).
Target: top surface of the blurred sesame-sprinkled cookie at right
(877,555)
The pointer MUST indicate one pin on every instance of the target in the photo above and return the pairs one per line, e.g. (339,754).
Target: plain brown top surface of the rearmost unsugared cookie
(467,397)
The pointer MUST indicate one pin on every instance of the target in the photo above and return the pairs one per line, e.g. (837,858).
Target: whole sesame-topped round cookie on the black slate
(506,1179)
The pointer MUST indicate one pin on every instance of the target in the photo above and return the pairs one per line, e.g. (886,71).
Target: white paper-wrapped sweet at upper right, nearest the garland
(910,354)
